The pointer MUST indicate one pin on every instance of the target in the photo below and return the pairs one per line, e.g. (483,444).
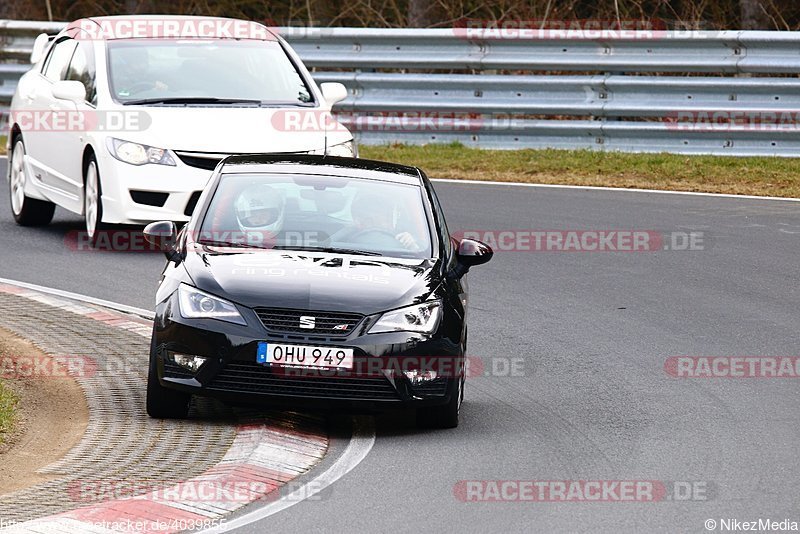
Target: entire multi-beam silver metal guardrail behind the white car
(627,93)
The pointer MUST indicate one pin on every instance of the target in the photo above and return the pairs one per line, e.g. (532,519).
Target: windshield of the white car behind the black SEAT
(217,71)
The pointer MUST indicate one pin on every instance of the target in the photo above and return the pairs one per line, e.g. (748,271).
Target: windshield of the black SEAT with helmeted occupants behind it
(318,214)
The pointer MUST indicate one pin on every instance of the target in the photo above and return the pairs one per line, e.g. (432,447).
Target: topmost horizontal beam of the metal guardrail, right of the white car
(691,51)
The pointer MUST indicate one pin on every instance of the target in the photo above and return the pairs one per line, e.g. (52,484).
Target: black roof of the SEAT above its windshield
(324,165)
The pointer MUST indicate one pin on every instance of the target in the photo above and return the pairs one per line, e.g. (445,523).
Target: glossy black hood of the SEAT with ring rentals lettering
(311,280)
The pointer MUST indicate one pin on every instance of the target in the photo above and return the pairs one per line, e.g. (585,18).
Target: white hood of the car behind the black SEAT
(227,130)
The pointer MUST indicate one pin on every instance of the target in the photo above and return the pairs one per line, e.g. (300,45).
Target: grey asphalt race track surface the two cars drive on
(594,402)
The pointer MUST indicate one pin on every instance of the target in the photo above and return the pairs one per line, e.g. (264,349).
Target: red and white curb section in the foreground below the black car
(261,460)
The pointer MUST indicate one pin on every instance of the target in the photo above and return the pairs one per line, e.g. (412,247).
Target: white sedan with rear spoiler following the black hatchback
(126,129)
